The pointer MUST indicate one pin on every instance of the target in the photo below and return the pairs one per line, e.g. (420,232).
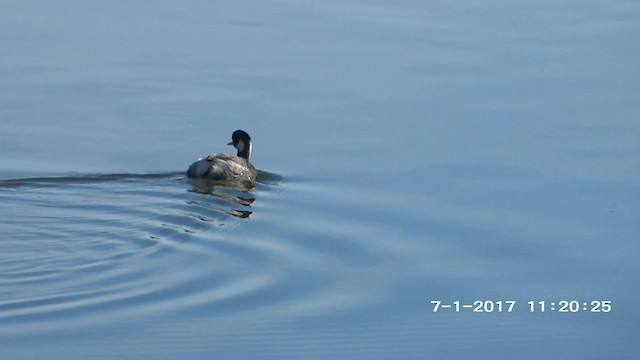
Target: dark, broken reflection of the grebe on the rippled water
(229,192)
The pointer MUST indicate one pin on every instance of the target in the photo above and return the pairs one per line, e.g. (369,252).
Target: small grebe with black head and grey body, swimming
(226,167)
